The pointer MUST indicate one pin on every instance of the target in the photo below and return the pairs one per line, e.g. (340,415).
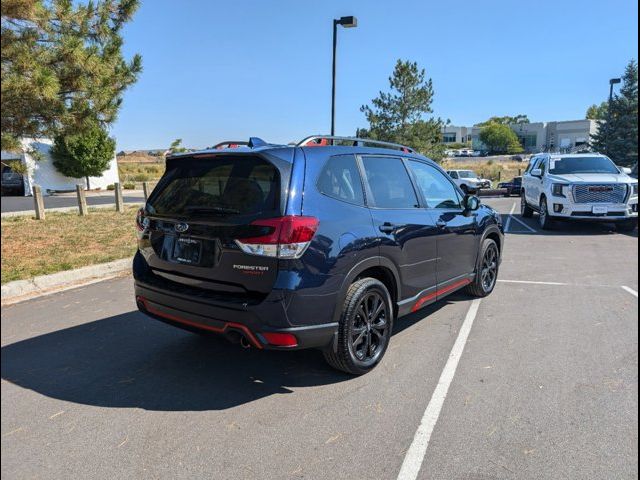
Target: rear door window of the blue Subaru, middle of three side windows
(389,183)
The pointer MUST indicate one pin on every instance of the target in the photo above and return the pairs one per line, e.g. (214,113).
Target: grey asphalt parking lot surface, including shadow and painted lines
(538,380)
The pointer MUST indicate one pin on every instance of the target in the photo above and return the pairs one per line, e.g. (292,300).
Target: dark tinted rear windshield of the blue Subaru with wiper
(218,187)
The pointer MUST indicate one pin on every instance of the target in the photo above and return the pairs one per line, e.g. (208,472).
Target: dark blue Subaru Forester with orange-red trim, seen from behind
(318,245)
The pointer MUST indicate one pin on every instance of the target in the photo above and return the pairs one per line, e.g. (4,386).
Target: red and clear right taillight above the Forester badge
(285,237)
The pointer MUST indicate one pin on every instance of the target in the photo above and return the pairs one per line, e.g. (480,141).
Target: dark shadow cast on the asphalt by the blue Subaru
(130,361)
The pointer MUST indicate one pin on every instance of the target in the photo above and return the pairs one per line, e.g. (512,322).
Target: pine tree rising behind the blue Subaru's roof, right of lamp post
(399,116)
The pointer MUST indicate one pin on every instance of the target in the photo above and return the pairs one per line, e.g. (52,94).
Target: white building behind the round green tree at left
(43,173)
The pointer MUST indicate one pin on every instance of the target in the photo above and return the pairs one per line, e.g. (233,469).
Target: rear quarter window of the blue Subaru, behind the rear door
(340,179)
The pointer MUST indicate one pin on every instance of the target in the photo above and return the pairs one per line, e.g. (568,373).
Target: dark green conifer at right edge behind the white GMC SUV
(617,135)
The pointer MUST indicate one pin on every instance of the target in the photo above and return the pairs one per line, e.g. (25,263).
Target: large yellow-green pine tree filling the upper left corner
(62,65)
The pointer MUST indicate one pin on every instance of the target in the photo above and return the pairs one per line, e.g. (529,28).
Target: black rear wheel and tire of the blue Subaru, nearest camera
(357,326)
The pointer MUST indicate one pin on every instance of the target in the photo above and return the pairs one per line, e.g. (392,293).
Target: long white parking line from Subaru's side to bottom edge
(415,455)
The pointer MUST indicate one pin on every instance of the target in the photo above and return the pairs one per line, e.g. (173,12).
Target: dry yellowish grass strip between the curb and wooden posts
(64,241)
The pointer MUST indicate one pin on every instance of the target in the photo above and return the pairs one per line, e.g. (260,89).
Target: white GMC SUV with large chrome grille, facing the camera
(585,186)
